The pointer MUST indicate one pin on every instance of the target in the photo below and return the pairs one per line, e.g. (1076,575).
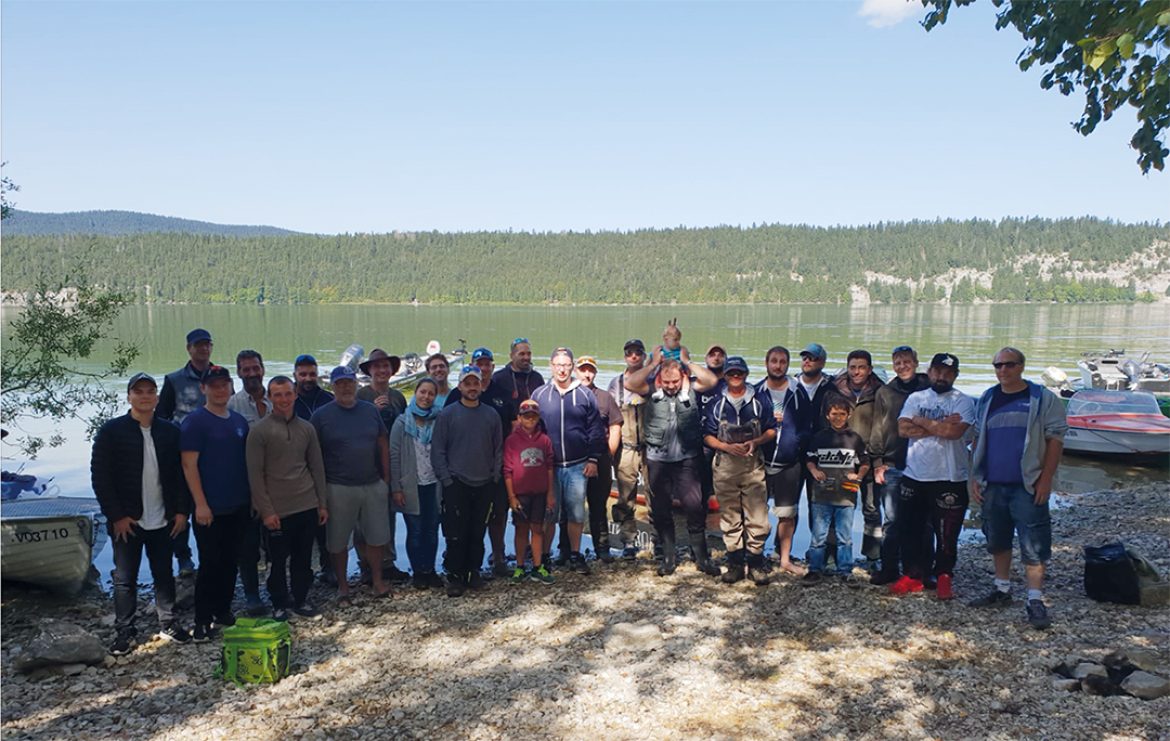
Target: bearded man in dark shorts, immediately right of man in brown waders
(783,465)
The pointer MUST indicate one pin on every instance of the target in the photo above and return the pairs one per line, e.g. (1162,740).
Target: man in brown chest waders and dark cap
(737,424)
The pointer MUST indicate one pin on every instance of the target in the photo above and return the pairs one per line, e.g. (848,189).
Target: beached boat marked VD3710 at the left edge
(49,540)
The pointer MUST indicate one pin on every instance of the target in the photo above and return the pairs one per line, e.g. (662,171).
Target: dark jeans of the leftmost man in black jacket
(128,557)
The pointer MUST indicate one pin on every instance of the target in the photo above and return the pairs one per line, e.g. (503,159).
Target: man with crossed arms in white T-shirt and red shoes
(934,485)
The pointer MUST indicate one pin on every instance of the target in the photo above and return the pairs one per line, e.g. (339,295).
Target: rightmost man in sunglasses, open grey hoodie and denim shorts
(1021,436)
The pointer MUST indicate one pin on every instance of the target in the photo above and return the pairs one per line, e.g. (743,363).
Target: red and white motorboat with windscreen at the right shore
(1118,423)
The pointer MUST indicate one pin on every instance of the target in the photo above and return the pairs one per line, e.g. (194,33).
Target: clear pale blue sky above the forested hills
(380,116)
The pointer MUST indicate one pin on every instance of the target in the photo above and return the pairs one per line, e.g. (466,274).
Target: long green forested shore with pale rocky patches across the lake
(962,262)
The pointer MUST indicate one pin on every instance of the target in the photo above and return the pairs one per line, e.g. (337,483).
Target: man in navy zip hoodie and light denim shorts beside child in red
(570,417)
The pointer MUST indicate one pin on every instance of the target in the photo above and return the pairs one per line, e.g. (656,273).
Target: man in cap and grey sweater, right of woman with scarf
(467,455)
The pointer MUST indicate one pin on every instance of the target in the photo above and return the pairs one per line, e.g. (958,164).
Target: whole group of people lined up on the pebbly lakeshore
(283,466)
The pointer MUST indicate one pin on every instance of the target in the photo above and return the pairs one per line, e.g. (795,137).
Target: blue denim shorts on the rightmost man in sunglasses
(1008,510)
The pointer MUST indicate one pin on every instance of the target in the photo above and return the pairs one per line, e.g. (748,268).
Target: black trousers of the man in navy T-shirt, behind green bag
(219,552)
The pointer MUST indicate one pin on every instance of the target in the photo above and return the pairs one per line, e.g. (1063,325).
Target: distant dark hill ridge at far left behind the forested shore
(123,223)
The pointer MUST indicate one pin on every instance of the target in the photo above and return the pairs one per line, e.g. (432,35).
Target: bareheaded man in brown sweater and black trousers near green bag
(288,491)
